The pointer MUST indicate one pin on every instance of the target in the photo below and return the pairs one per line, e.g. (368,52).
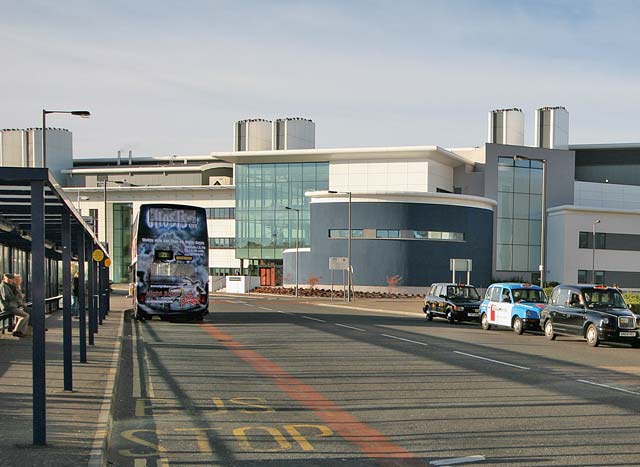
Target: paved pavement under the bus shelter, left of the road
(77,421)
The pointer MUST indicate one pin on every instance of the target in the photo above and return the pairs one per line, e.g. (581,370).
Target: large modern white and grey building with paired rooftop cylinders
(510,211)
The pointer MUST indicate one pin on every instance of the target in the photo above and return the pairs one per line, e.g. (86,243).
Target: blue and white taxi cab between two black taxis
(512,305)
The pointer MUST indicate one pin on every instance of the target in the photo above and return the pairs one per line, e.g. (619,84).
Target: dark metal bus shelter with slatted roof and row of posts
(37,217)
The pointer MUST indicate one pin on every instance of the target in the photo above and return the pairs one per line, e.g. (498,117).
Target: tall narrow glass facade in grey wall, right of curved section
(519,214)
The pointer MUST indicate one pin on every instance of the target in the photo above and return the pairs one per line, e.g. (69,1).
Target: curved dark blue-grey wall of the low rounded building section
(418,262)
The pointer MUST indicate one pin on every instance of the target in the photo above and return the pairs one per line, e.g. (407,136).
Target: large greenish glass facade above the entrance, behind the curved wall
(263,226)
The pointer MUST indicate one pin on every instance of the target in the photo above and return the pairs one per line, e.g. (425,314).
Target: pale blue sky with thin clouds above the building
(163,78)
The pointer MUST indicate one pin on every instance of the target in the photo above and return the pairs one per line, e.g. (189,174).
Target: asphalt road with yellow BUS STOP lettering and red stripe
(271,382)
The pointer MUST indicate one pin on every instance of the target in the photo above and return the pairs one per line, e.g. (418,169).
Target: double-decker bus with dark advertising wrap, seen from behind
(170,257)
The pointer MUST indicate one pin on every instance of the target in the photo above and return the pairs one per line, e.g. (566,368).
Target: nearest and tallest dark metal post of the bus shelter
(37,314)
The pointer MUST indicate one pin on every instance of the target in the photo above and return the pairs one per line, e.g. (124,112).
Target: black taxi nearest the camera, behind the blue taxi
(596,312)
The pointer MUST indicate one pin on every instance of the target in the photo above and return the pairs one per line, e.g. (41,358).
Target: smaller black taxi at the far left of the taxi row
(455,302)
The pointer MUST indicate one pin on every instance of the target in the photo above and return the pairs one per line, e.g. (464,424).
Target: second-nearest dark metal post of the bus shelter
(67,349)
